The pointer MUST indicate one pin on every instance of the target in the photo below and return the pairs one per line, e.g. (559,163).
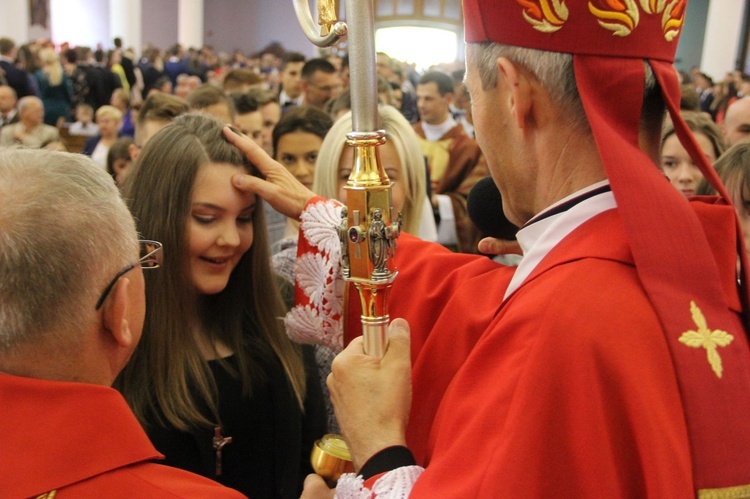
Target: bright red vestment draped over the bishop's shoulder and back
(569,390)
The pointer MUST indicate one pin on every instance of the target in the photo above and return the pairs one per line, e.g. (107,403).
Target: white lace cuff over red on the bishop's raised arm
(317,316)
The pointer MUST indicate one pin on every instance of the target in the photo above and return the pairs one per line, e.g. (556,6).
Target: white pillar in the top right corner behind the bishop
(722,38)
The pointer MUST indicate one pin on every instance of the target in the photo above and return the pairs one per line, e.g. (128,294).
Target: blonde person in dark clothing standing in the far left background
(54,86)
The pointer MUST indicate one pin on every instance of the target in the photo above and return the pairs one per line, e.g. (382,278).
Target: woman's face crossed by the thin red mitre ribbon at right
(676,163)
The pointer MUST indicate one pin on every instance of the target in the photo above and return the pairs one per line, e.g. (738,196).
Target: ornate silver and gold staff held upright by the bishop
(371,228)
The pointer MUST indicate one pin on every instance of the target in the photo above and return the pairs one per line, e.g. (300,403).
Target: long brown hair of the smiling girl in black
(168,377)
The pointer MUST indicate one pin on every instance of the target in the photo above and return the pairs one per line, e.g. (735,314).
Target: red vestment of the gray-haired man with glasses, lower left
(82,440)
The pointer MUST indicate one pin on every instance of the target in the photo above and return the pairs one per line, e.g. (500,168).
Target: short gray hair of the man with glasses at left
(64,233)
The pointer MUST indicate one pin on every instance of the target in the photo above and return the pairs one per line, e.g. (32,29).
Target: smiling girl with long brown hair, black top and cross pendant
(216,383)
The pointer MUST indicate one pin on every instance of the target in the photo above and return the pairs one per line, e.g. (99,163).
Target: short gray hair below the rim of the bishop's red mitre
(555,72)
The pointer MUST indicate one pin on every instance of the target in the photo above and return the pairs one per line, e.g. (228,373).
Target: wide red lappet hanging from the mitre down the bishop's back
(672,279)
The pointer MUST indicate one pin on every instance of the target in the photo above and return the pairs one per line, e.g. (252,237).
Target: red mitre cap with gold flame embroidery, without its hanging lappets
(579,28)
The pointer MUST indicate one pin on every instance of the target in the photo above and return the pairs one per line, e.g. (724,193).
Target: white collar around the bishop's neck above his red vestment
(540,237)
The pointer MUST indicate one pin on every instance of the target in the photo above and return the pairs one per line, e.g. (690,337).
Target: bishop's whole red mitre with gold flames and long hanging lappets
(696,303)
